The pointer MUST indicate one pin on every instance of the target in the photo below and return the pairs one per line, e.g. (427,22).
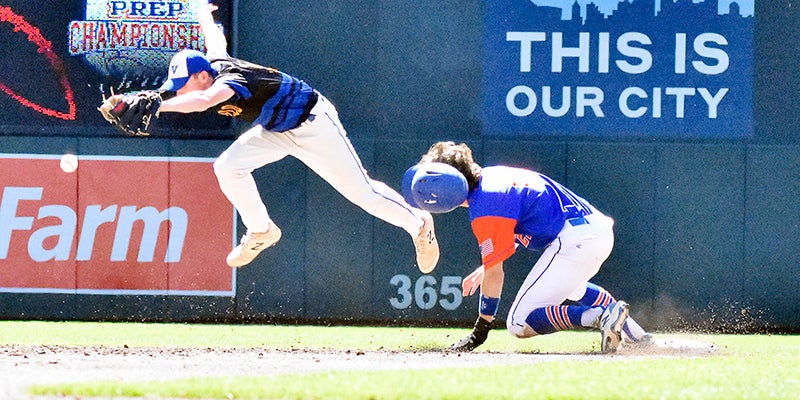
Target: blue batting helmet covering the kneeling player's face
(434,187)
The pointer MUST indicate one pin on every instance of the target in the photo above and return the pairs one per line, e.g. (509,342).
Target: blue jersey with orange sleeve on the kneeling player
(518,206)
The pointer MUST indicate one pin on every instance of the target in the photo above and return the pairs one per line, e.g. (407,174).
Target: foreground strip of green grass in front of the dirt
(606,379)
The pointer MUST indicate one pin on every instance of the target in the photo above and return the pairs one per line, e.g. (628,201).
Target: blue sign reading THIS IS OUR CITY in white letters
(609,68)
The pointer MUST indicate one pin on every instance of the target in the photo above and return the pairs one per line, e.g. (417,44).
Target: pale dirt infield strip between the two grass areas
(22,366)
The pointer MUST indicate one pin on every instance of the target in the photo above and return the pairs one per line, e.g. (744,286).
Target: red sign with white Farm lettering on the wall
(118,225)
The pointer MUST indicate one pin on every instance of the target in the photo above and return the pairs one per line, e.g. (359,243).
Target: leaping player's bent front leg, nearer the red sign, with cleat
(233,169)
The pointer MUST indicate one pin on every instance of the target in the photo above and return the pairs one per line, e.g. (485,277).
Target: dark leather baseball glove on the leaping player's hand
(134,114)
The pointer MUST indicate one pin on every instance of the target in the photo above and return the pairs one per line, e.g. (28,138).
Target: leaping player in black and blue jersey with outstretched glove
(289,118)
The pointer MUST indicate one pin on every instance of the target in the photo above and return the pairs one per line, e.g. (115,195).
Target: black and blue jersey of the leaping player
(264,96)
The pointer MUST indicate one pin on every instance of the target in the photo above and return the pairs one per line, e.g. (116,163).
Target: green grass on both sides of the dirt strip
(745,367)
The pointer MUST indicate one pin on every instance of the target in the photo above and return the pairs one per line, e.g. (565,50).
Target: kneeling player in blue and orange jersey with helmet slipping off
(511,207)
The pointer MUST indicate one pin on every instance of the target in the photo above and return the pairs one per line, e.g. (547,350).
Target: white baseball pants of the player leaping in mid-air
(321,143)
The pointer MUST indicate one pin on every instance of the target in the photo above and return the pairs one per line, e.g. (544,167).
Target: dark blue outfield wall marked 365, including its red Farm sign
(705,226)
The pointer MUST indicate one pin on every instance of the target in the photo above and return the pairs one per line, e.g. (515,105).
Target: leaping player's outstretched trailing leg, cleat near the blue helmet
(324,147)
